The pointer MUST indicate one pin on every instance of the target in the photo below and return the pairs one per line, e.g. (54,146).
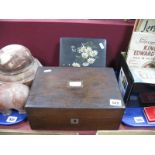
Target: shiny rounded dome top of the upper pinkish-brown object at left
(14,58)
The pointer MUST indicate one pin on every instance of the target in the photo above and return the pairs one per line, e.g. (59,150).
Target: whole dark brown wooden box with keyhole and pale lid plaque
(72,98)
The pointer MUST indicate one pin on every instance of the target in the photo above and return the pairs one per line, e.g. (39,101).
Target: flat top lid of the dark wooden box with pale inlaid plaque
(74,88)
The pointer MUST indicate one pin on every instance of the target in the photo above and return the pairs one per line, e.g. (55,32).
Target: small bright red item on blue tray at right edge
(150,113)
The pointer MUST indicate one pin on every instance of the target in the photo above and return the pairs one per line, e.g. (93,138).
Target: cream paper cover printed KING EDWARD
(141,51)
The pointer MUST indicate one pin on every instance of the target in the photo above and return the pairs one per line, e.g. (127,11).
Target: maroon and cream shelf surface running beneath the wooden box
(24,128)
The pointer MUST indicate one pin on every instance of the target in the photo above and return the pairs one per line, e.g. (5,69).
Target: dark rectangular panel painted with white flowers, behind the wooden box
(82,52)
